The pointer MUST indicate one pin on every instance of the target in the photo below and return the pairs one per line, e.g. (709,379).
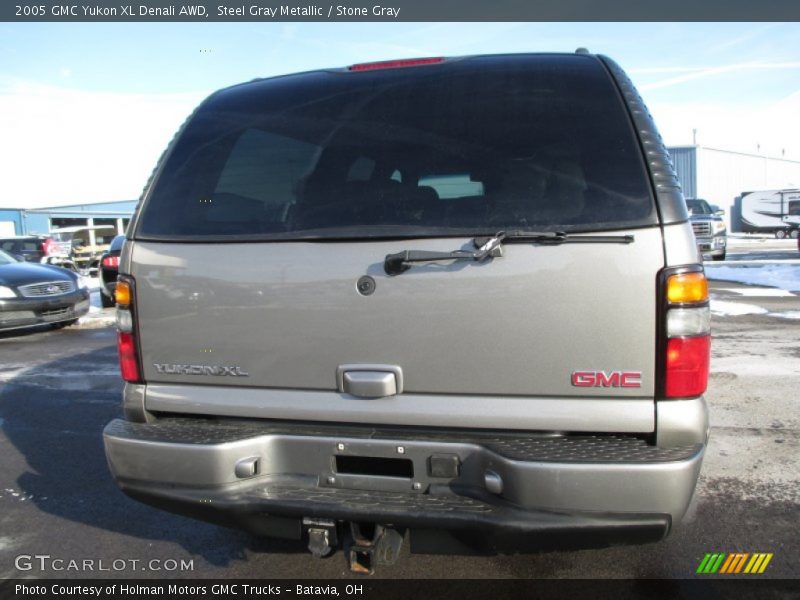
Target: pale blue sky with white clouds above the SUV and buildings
(86,109)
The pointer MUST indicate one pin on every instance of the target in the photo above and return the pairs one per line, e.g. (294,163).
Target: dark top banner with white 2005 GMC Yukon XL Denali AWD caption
(398,10)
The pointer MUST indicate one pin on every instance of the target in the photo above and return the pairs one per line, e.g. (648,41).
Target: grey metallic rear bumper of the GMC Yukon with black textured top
(526,482)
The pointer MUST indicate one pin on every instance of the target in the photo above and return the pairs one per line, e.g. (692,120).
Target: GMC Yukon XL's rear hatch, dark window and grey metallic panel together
(280,195)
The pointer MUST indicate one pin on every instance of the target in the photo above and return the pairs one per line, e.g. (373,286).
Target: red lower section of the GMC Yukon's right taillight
(687,366)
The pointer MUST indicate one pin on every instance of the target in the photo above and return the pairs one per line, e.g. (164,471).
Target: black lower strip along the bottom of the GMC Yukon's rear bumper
(498,525)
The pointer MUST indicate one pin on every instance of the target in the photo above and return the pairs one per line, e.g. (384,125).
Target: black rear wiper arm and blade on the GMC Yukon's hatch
(492,247)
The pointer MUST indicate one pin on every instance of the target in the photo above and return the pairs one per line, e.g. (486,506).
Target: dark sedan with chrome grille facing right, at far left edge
(35,294)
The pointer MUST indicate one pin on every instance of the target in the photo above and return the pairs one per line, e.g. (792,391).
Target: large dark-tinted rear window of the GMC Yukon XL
(466,147)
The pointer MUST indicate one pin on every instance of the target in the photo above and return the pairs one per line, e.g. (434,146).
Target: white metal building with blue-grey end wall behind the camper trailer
(721,176)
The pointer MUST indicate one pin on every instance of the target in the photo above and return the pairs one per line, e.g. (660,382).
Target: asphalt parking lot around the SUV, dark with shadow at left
(59,388)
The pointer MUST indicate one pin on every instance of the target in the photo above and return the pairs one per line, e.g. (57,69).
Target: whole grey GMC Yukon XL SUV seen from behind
(455,297)
